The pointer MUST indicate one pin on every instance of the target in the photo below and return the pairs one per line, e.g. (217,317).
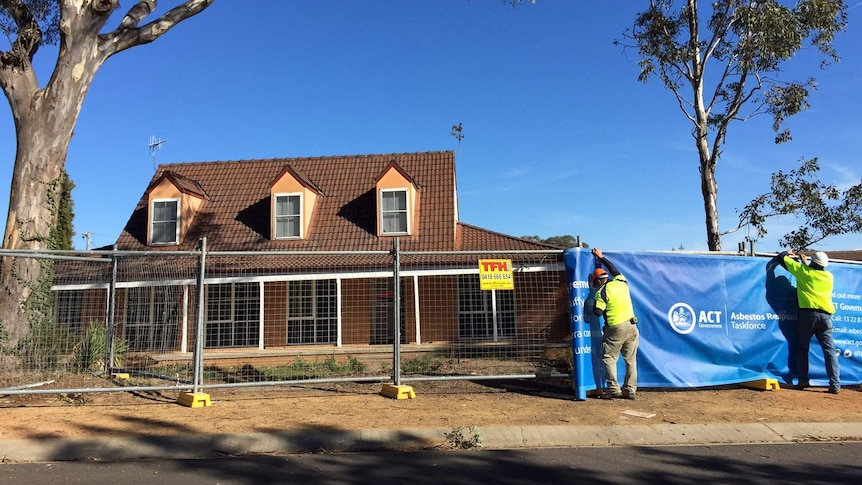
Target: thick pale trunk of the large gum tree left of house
(44,124)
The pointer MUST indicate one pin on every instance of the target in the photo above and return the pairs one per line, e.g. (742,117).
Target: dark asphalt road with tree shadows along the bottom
(811,463)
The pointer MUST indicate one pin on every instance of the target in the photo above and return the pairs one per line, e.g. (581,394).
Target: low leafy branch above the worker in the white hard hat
(824,209)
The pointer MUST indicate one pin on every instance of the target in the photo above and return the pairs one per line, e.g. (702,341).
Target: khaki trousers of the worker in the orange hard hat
(617,340)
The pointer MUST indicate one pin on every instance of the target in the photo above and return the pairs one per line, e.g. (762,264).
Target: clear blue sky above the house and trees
(559,136)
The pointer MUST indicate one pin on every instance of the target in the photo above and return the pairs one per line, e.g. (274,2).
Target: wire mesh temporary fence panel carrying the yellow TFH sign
(455,329)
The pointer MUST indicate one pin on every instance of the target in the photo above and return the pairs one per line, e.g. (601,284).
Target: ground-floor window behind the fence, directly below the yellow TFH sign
(478,319)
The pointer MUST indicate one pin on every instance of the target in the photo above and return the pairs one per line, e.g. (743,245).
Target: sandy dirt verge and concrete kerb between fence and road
(518,415)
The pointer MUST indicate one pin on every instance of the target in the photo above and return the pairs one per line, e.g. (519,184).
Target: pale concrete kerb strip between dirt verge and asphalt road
(498,437)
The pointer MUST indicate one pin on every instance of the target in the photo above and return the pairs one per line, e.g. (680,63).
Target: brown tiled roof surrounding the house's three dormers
(236,215)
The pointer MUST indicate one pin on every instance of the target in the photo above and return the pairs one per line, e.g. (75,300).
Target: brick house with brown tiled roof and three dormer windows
(301,257)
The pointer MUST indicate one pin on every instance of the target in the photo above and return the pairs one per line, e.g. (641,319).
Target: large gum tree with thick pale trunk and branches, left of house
(45,118)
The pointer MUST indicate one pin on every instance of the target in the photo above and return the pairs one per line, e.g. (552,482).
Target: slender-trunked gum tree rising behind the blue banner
(725,64)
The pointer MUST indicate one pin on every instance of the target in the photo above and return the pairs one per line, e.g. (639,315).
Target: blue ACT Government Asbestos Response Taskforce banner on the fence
(708,320)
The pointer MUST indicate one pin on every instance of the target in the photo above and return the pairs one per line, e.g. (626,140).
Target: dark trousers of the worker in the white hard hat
(817,324)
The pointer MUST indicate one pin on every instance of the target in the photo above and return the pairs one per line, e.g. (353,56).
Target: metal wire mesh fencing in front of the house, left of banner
(161,320)
